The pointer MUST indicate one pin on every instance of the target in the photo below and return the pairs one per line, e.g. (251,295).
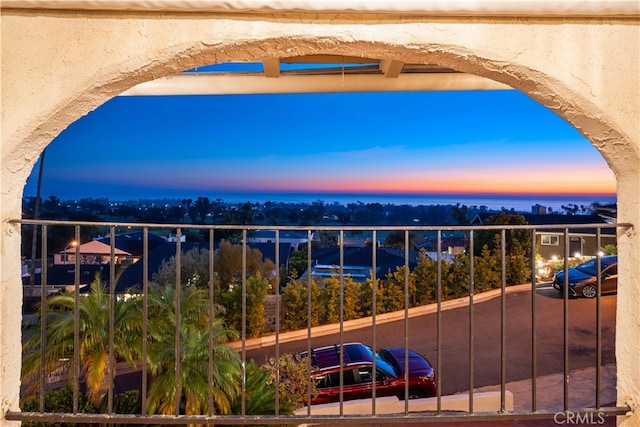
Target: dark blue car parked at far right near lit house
(583,278)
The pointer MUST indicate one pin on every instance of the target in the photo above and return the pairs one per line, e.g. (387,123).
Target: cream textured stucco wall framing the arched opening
(57,66)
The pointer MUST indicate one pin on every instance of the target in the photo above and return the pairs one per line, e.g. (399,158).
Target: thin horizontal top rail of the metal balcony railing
(324,227)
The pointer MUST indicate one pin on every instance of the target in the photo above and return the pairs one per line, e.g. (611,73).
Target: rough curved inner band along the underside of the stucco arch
(544,88)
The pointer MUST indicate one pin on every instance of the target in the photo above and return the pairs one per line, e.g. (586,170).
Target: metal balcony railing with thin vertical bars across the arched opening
(340,416)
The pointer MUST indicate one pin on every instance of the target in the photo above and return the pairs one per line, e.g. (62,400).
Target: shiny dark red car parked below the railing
(359,378)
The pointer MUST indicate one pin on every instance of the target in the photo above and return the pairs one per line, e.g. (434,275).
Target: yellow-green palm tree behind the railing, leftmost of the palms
(93,348)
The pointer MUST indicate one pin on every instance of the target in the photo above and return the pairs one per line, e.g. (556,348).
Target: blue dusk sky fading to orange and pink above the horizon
(420,142)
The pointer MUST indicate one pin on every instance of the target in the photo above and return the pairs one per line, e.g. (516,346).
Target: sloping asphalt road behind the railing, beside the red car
(487,324)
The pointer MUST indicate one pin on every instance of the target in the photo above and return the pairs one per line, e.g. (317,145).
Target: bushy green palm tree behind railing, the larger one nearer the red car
(193,355)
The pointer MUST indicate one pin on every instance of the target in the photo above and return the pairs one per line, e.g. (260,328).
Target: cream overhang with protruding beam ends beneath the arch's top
(314,74)
